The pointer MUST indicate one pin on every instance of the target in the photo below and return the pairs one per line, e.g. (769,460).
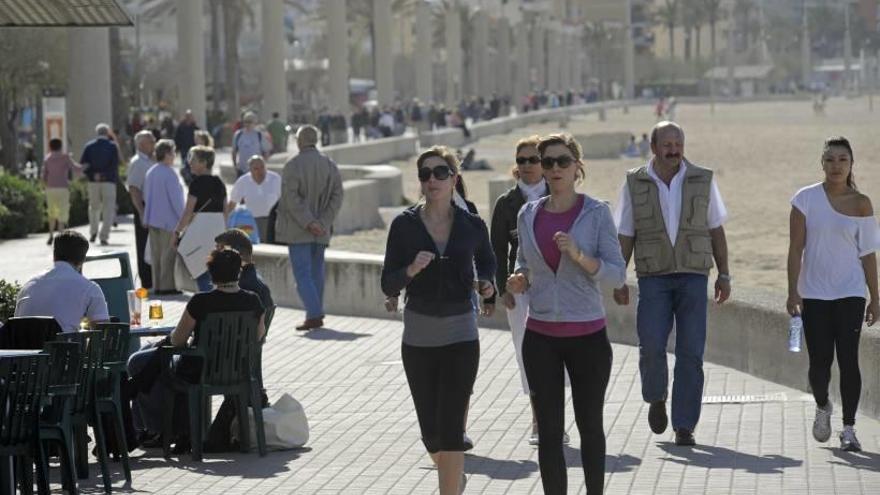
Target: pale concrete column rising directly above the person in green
(273,77)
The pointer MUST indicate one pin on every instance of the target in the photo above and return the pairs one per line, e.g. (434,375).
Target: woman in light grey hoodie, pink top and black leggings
(568,243)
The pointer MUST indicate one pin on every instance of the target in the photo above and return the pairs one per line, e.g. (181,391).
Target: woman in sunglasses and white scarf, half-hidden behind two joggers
(530,185)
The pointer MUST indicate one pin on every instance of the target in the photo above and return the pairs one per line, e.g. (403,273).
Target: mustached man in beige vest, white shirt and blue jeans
(670,215)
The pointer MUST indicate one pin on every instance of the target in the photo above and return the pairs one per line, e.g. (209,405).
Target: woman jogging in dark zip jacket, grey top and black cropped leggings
(431,252)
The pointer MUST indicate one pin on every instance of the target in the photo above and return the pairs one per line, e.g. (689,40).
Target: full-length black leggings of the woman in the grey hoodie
(588,361)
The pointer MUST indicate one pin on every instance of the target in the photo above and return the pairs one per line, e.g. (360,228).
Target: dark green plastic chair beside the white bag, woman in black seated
(225,343)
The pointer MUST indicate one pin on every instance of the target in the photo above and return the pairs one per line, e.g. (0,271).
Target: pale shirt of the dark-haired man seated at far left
(64,294)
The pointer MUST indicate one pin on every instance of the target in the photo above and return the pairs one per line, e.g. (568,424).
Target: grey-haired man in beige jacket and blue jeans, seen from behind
(311,195)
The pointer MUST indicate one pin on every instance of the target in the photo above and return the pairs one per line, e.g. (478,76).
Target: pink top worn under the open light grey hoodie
(547,224)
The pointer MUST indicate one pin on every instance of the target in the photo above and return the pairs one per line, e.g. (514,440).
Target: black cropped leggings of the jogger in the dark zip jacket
(440,381)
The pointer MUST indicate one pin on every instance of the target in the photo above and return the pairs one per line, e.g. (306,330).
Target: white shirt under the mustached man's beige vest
(670,205)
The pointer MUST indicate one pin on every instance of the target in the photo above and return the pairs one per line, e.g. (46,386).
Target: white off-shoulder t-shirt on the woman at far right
(831,267)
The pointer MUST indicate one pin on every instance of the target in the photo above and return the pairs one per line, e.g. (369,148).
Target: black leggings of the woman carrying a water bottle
(830,325)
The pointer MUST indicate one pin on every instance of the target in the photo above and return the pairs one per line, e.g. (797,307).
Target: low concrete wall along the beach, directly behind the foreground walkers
(748,333)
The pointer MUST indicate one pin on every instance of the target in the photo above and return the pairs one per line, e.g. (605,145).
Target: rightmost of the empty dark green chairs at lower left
(108,384)
